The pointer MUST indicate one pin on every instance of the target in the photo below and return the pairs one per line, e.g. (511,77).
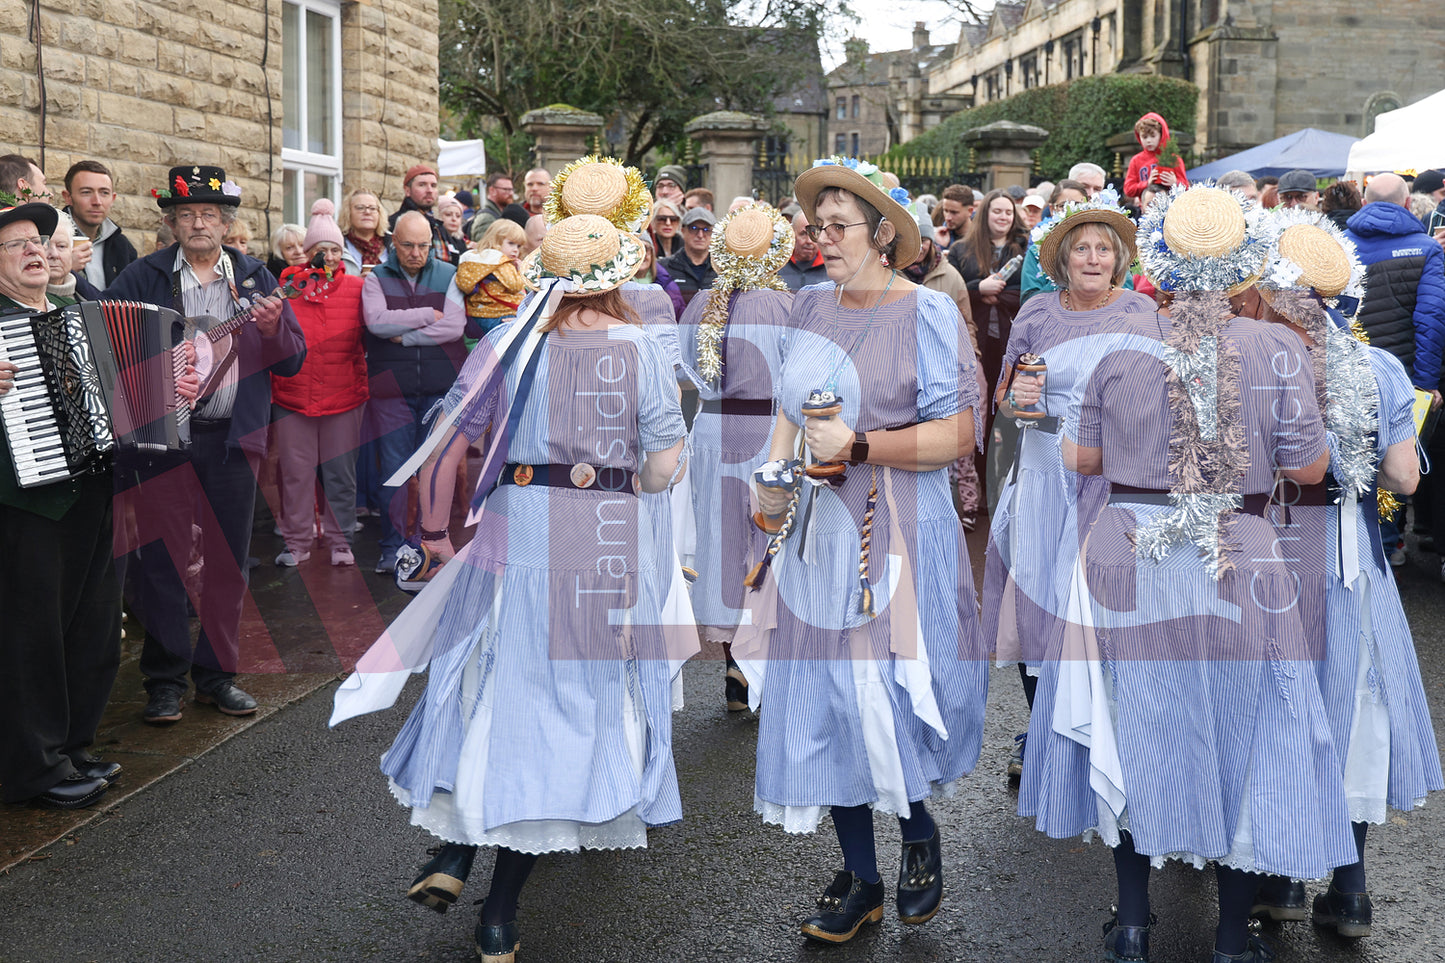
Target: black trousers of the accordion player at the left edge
(60,637)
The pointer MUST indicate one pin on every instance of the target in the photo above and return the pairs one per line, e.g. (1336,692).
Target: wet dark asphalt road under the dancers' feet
(284,845)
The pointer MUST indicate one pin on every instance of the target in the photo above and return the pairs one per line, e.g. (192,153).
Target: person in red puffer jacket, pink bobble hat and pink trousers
(319,410)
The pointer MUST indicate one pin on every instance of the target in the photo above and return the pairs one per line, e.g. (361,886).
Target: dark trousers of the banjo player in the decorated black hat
(216,491)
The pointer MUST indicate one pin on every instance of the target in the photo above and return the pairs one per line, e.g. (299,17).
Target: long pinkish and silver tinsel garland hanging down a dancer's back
(1209,452)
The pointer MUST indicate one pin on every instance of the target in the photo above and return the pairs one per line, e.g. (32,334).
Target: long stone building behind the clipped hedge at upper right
(1265,69)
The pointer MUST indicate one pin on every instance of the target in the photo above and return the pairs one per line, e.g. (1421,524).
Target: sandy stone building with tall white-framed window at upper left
(296,99)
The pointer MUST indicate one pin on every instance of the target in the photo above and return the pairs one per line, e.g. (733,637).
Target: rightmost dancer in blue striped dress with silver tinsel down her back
(1369,676)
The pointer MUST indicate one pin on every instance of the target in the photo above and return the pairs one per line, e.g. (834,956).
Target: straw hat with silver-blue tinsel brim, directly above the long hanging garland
(1202,238)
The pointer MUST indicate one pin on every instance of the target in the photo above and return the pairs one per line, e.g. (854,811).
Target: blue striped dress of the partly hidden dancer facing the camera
(1034,534)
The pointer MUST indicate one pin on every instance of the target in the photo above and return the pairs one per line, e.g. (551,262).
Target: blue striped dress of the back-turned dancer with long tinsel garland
(1177,708)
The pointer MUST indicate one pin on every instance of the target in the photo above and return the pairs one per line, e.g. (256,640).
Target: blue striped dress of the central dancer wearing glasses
(869,711)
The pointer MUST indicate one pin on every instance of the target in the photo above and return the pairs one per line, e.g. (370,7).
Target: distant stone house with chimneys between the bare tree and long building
(881,100)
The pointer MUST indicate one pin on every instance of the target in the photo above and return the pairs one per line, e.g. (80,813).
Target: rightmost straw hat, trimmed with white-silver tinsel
(1308,252)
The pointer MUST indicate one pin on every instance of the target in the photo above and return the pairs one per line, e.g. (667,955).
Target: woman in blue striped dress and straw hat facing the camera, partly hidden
(1034,534)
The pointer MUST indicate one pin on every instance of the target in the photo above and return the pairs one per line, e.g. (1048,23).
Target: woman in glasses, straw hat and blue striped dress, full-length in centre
(863,646)
